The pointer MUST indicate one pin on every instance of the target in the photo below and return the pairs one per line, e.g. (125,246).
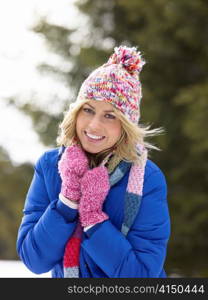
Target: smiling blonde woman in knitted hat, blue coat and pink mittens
(97,206)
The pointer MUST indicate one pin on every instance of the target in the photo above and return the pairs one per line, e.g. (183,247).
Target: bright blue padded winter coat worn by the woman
(47,225)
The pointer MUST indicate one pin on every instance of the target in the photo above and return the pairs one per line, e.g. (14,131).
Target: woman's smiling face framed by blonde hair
(97,126)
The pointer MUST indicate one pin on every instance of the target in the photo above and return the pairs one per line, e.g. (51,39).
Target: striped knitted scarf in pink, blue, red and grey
(116,169)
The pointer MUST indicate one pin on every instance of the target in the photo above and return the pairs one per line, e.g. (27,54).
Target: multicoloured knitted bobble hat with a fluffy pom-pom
(117,82)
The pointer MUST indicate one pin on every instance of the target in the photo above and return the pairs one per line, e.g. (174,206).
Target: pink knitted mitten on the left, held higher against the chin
(72,166)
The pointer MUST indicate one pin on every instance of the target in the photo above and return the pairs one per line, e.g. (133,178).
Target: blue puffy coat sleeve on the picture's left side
(46,225)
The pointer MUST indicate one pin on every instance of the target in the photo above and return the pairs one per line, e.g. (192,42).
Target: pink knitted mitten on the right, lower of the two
(95,186)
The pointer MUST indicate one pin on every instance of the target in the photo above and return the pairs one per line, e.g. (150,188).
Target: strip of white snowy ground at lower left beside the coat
(16,269)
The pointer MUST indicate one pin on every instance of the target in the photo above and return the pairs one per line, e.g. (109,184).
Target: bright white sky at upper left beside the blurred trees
(21,51)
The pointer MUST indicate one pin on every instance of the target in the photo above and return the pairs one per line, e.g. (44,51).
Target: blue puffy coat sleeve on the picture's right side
(141,254)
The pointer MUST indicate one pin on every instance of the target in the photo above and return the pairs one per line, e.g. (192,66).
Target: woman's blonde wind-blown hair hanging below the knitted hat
(125,147)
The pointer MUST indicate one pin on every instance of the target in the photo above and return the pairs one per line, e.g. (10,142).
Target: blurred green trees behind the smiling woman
(173,38)
